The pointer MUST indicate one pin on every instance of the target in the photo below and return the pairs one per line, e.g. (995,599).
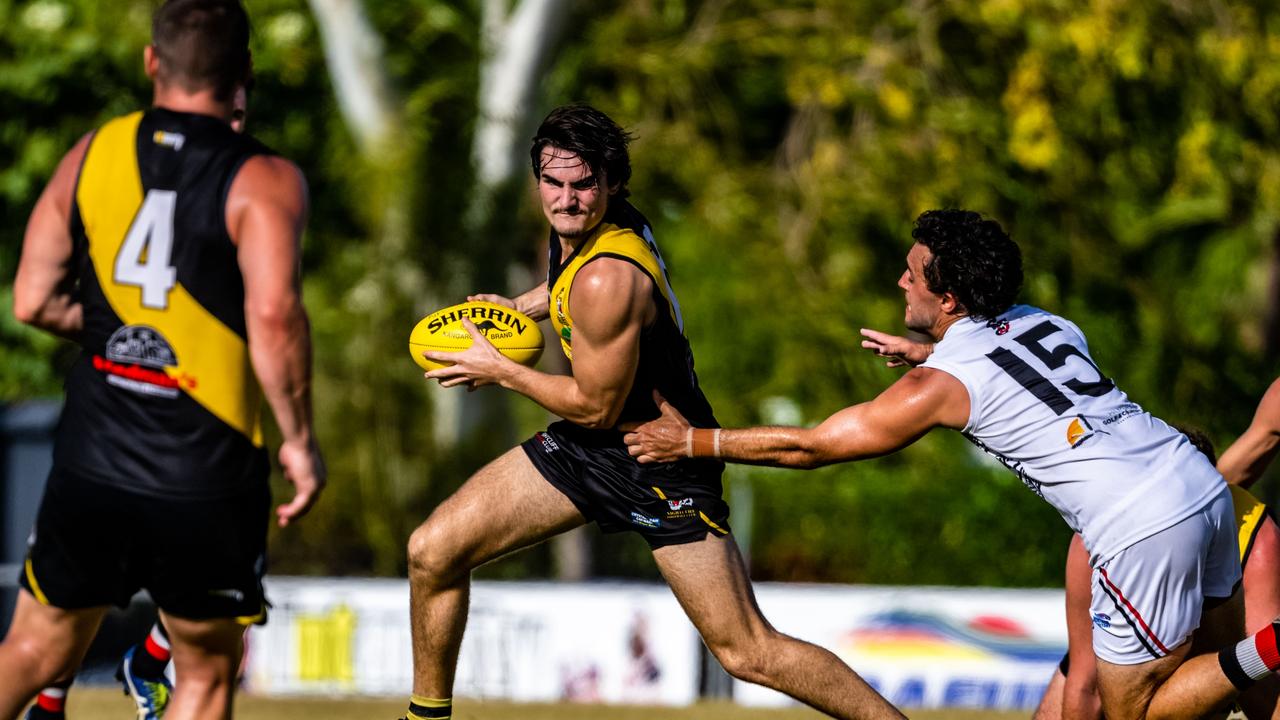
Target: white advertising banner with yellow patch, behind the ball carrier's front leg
(524,642)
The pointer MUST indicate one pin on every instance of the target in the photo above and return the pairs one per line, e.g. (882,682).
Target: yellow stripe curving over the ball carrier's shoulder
(607,240)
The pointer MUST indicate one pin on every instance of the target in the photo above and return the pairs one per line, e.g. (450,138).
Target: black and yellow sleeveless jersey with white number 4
(163,399)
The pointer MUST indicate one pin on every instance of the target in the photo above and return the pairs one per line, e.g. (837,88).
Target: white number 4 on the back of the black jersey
(144,258)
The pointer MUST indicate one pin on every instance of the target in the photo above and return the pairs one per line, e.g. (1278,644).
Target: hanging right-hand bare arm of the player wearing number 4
(267,209)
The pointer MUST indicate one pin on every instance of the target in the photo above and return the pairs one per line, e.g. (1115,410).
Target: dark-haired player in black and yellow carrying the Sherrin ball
(611,304)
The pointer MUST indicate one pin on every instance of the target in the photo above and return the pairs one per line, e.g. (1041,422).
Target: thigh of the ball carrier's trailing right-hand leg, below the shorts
(711,582)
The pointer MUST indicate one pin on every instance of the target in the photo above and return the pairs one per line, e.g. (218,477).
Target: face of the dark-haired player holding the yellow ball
(574,198)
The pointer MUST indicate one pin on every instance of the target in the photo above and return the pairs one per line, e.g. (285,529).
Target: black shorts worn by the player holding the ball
(666,504)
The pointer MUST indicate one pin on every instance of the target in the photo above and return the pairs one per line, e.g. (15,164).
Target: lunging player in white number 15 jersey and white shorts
(1020,384)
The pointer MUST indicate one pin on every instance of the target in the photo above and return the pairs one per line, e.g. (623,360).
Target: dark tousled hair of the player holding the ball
(591,135)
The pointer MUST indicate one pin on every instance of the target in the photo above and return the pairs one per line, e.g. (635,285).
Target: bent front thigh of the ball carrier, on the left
(505,507)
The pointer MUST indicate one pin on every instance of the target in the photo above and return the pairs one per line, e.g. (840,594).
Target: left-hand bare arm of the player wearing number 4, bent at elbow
(44,293)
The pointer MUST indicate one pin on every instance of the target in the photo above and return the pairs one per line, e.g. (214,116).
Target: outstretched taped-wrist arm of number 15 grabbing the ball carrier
(924,399)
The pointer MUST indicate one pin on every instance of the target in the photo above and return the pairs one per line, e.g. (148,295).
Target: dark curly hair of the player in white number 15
(973,259)
